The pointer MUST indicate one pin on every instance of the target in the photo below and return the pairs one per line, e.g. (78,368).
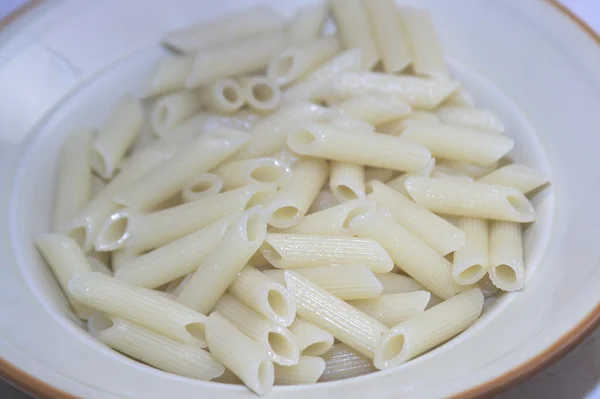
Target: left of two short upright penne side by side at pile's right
(471,261)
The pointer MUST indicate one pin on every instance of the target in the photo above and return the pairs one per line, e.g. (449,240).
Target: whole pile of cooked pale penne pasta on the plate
(299,210)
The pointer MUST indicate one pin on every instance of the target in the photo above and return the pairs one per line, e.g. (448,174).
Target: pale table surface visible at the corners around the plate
(576,376)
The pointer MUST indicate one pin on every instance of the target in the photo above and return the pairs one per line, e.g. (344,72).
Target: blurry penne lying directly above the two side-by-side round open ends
(246,55)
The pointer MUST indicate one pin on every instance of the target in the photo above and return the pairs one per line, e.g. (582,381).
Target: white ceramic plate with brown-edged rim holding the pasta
(64,62)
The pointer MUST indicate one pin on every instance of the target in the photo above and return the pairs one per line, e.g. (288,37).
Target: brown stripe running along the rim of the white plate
(553,353)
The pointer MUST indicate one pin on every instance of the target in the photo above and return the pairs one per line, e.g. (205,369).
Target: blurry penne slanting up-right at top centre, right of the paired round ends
(346,61)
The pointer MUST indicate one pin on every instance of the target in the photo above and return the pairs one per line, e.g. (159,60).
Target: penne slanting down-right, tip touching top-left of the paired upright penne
(430,228)
